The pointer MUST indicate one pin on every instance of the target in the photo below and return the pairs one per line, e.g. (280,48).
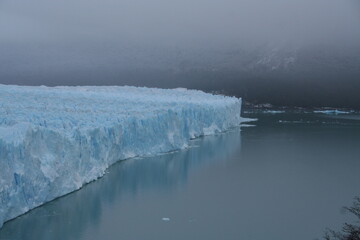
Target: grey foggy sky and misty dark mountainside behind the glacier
(236,47)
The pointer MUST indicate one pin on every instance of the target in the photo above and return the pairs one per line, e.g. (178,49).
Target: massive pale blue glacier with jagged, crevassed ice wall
(55,140)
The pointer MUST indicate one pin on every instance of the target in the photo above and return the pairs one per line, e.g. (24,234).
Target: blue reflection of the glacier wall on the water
(70,216)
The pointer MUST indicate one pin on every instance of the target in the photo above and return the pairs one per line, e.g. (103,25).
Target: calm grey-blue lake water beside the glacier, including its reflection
(286,176)
